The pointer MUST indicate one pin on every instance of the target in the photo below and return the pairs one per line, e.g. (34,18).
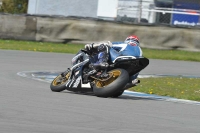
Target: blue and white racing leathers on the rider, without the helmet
(108,51)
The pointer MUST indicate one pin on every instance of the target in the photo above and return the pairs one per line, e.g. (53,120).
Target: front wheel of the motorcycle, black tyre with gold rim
(59,83)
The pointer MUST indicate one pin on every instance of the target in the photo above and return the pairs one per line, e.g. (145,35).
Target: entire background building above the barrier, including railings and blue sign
(169,12)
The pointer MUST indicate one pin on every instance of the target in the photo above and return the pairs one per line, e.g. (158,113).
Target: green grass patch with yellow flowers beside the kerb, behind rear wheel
(178,87)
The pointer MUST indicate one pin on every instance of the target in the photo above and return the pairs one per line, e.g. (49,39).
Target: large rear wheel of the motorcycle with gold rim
(113,85)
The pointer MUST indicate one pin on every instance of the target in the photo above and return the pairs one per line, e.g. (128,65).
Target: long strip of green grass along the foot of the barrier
(73,48)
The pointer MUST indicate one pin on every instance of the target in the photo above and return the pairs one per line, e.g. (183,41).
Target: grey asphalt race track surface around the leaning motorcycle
(28,106)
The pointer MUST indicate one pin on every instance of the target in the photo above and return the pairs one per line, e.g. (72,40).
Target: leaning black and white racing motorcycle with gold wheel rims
(109,82)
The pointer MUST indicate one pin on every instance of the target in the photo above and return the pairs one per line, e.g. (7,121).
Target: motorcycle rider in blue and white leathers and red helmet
(130,47)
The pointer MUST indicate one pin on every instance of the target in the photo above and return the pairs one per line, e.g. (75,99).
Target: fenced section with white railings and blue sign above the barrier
(168,12)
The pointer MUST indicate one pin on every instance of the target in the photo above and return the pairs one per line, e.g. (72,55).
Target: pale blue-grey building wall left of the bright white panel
(83,8)
